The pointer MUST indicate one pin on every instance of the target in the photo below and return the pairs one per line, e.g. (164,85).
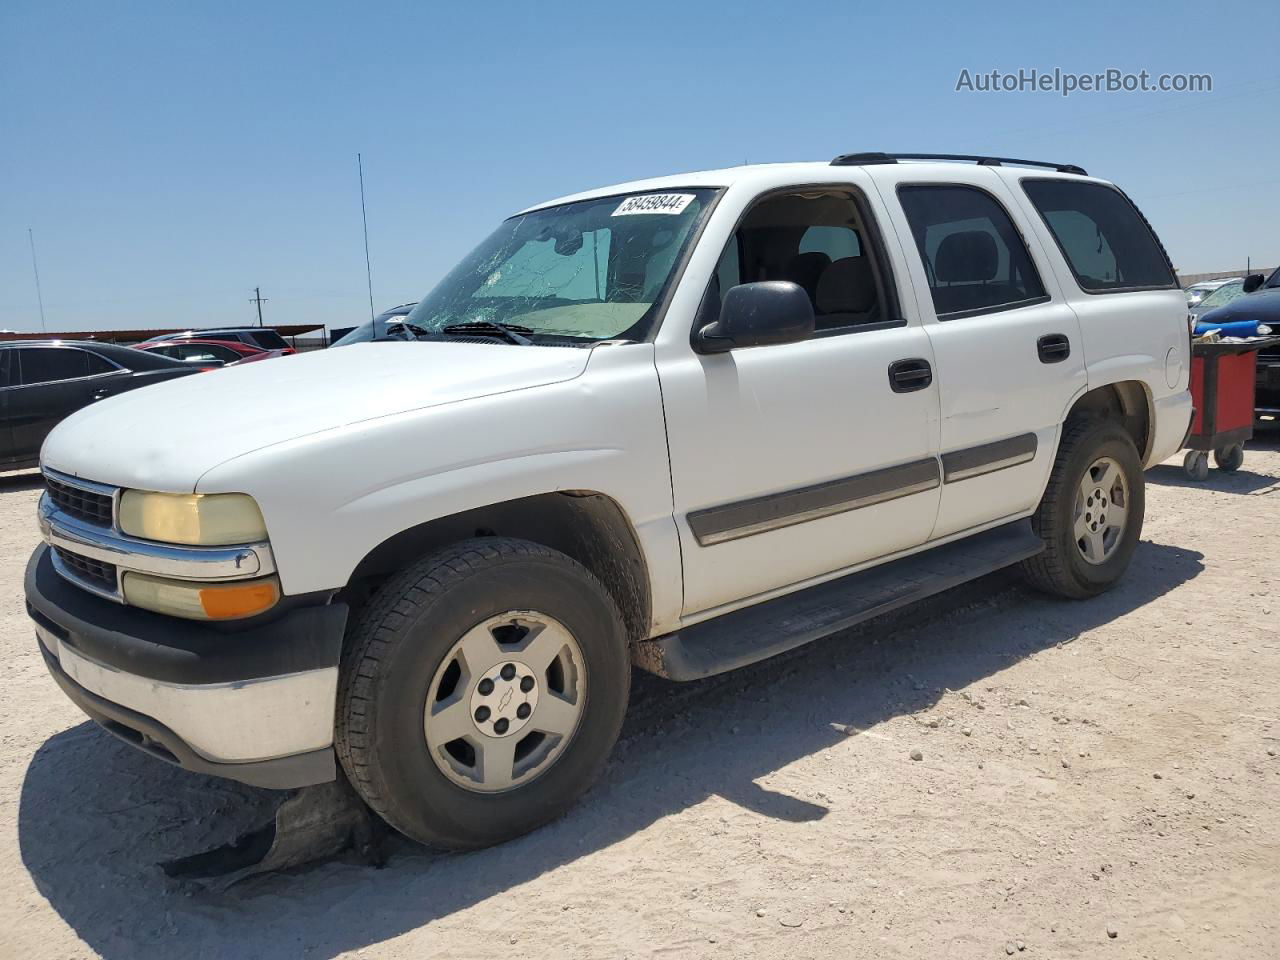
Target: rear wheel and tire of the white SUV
(1091,515)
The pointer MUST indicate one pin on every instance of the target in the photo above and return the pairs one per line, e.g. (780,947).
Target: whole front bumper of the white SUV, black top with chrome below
(254,705)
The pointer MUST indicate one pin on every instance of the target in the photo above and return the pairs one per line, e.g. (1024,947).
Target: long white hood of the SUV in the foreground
(168,436)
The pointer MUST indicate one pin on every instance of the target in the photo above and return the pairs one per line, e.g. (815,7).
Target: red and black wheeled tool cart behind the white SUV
(1223,380)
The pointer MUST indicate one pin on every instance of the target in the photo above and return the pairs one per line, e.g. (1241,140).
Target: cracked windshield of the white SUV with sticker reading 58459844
(586,272)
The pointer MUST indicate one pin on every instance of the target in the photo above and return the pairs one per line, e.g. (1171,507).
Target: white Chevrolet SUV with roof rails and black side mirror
(685,423)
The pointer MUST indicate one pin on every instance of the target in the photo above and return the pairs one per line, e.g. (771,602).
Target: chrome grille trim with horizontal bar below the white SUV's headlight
(111,546)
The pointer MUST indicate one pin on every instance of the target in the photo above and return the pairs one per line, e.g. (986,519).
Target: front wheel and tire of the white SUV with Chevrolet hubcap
(482,693)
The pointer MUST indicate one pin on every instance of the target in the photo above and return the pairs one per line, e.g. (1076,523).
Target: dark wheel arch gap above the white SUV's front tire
(587,525)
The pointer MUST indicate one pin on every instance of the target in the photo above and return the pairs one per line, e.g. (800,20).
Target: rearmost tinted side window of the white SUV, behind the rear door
(1105,240)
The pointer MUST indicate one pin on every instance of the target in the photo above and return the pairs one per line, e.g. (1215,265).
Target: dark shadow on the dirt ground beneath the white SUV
(95,816)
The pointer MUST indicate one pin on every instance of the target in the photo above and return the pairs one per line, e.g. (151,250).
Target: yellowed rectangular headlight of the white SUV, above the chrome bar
(203,520)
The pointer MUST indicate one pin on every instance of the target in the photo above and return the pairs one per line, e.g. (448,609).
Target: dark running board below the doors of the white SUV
(787,623)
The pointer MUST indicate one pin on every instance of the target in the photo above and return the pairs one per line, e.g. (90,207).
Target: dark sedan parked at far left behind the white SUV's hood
(42,382)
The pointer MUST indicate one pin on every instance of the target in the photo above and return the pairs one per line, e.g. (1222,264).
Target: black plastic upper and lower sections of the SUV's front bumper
(304,634)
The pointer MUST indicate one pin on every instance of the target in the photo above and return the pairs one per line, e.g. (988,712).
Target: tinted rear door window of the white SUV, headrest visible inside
(973,255)
